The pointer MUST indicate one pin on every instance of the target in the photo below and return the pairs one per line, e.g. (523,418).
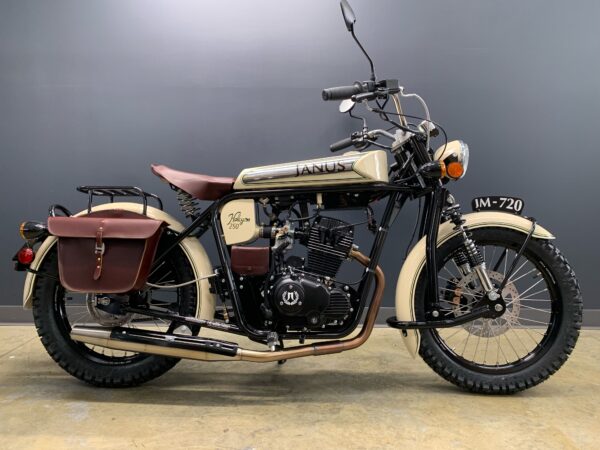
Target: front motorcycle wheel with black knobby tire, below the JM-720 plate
(529,342)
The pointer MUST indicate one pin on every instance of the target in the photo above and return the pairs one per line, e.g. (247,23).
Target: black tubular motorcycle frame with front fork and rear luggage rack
(397,191)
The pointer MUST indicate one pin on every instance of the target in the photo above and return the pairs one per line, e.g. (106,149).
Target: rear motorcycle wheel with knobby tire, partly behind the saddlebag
(56,311)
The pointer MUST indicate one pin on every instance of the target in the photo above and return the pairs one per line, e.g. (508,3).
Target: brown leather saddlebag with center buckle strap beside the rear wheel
(108,252)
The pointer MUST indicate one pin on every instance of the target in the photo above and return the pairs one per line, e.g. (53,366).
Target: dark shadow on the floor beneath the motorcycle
(233,386)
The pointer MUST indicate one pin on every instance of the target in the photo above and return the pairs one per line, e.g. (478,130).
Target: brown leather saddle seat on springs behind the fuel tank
(202,187)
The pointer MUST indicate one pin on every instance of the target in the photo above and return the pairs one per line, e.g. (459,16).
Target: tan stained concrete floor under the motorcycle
(372,397)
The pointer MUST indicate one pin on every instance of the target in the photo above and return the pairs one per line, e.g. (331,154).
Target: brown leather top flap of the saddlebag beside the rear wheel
(115,228)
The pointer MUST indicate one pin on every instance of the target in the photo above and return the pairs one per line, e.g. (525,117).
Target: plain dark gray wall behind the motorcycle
(93,92)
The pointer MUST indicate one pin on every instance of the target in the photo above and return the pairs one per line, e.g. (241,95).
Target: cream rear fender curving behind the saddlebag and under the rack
(191,246)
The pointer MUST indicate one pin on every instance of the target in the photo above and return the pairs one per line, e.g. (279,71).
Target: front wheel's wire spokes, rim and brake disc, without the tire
(532,309)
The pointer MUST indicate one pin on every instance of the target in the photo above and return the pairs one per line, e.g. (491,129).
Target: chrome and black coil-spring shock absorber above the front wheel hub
(470,257)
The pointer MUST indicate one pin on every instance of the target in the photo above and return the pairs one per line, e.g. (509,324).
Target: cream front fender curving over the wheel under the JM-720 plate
(415,262)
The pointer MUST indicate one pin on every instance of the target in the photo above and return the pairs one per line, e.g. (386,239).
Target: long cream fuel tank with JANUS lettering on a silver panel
(349,168)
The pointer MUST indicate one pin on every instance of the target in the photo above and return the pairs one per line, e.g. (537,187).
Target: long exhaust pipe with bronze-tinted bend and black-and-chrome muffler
(203,349)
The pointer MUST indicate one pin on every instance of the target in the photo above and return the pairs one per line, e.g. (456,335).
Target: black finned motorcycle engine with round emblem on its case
(307,293)
